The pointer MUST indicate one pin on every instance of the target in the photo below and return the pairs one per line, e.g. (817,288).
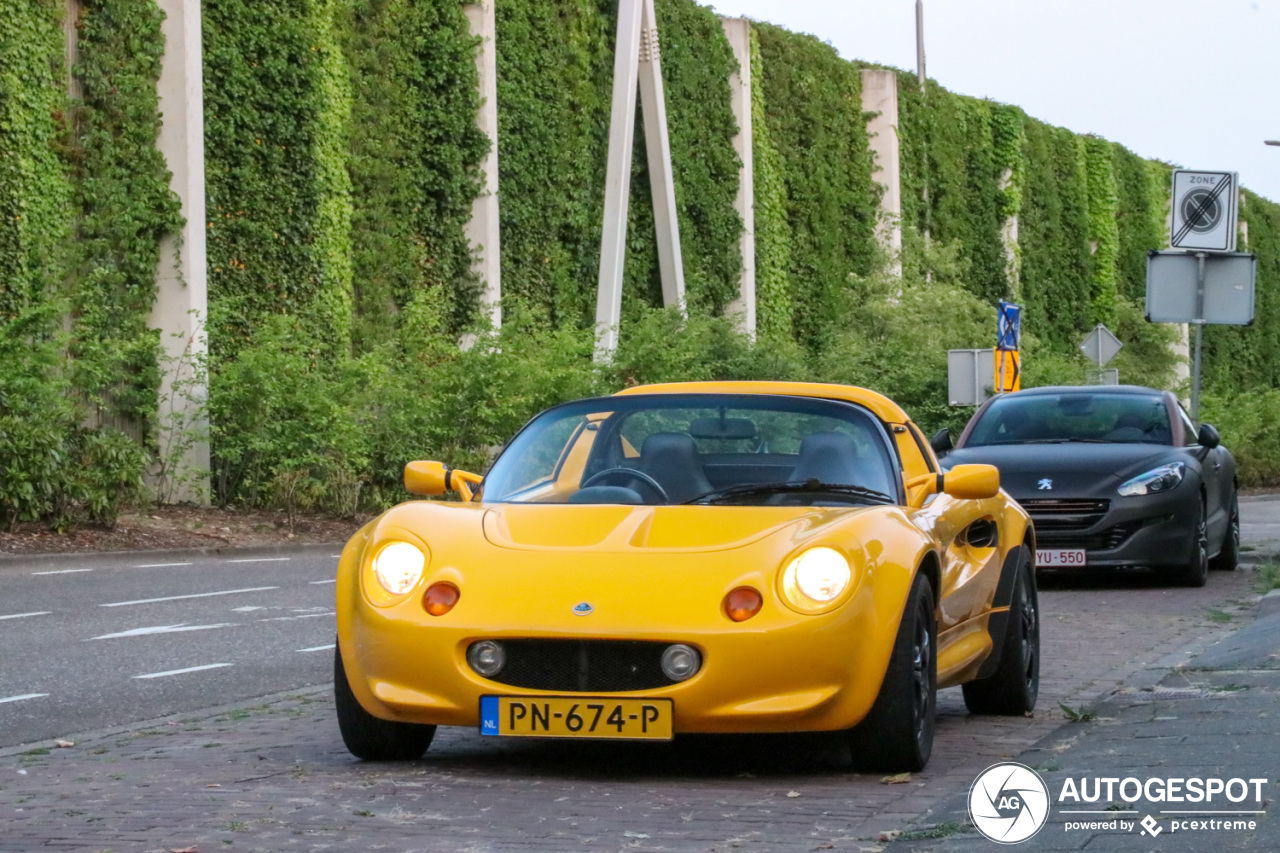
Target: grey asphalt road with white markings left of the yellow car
(104,642)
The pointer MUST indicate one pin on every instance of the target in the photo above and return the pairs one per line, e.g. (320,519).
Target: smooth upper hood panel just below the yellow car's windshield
(531,527)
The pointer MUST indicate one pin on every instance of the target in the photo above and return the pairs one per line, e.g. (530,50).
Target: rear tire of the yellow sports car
(1013,688)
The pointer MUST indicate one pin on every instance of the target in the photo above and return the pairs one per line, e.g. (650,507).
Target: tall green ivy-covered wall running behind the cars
(342,162)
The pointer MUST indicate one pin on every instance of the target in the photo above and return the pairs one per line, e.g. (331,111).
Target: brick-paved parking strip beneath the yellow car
(276,777)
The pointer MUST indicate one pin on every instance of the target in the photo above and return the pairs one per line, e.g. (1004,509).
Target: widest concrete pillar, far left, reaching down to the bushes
(181,307)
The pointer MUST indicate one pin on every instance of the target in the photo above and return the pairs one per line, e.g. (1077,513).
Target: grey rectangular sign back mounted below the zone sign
(1229,286)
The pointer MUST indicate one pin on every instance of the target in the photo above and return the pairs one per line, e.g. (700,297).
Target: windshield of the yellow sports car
(680,449)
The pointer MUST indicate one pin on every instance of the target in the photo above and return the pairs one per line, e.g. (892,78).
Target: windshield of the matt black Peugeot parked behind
(1076,417)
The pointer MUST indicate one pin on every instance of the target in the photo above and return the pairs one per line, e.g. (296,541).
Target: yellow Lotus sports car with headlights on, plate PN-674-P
(702,558)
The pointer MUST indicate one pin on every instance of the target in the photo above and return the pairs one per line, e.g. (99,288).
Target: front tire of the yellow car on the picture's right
(898,733)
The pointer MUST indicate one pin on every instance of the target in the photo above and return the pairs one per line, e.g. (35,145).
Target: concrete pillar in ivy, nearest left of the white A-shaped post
(483,229)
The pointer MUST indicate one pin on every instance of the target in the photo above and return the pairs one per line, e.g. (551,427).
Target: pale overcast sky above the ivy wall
(1191,83)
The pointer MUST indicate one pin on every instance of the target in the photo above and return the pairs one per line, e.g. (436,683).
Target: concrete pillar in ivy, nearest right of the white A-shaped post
(739,34)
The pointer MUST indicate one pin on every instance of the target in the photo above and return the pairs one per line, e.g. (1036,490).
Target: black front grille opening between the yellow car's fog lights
(583,667)
